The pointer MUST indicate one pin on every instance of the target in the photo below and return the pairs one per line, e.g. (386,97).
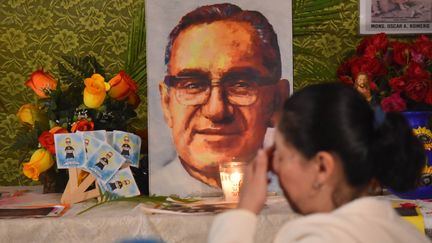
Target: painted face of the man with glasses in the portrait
(217,127)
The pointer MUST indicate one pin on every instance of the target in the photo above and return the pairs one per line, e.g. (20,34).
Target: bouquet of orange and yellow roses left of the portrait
(80,99)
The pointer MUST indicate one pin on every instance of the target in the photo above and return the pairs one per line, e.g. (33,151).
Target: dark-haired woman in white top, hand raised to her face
(330,147)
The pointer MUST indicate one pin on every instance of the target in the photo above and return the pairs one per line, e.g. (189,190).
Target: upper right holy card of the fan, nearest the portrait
(128,145)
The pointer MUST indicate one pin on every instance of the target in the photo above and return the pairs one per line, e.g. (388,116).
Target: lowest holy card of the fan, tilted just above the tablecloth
(123,184)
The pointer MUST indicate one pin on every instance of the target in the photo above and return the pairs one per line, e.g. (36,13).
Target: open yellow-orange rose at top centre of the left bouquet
(95,91)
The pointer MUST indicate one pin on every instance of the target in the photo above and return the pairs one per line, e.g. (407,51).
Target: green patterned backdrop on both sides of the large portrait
(36,33)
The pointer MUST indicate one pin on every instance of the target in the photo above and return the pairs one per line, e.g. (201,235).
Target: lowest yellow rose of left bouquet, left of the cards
(40,161)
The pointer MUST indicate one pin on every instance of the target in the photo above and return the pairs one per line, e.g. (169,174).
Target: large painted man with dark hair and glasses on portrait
(221,91)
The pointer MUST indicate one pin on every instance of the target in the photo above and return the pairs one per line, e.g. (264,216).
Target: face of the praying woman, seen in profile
(295,175)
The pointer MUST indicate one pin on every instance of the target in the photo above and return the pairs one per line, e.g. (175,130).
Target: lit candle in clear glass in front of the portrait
(232,174)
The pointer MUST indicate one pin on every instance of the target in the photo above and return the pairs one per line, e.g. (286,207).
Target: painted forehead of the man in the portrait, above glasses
(216,44)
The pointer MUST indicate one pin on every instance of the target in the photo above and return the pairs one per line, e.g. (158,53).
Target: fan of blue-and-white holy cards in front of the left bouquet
(106,155)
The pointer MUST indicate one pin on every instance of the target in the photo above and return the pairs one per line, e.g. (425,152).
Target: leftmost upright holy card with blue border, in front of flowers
(69,150)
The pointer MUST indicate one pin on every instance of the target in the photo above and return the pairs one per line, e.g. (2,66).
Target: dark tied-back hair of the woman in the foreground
(334,117)
